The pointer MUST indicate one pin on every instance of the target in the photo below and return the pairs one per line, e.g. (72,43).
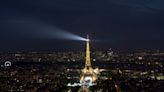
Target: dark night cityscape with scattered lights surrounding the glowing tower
(42,72)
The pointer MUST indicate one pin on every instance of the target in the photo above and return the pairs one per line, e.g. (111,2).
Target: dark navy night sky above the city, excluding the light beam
(118,24)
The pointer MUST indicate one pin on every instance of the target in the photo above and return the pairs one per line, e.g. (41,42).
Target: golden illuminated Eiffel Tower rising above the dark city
(87,73)
